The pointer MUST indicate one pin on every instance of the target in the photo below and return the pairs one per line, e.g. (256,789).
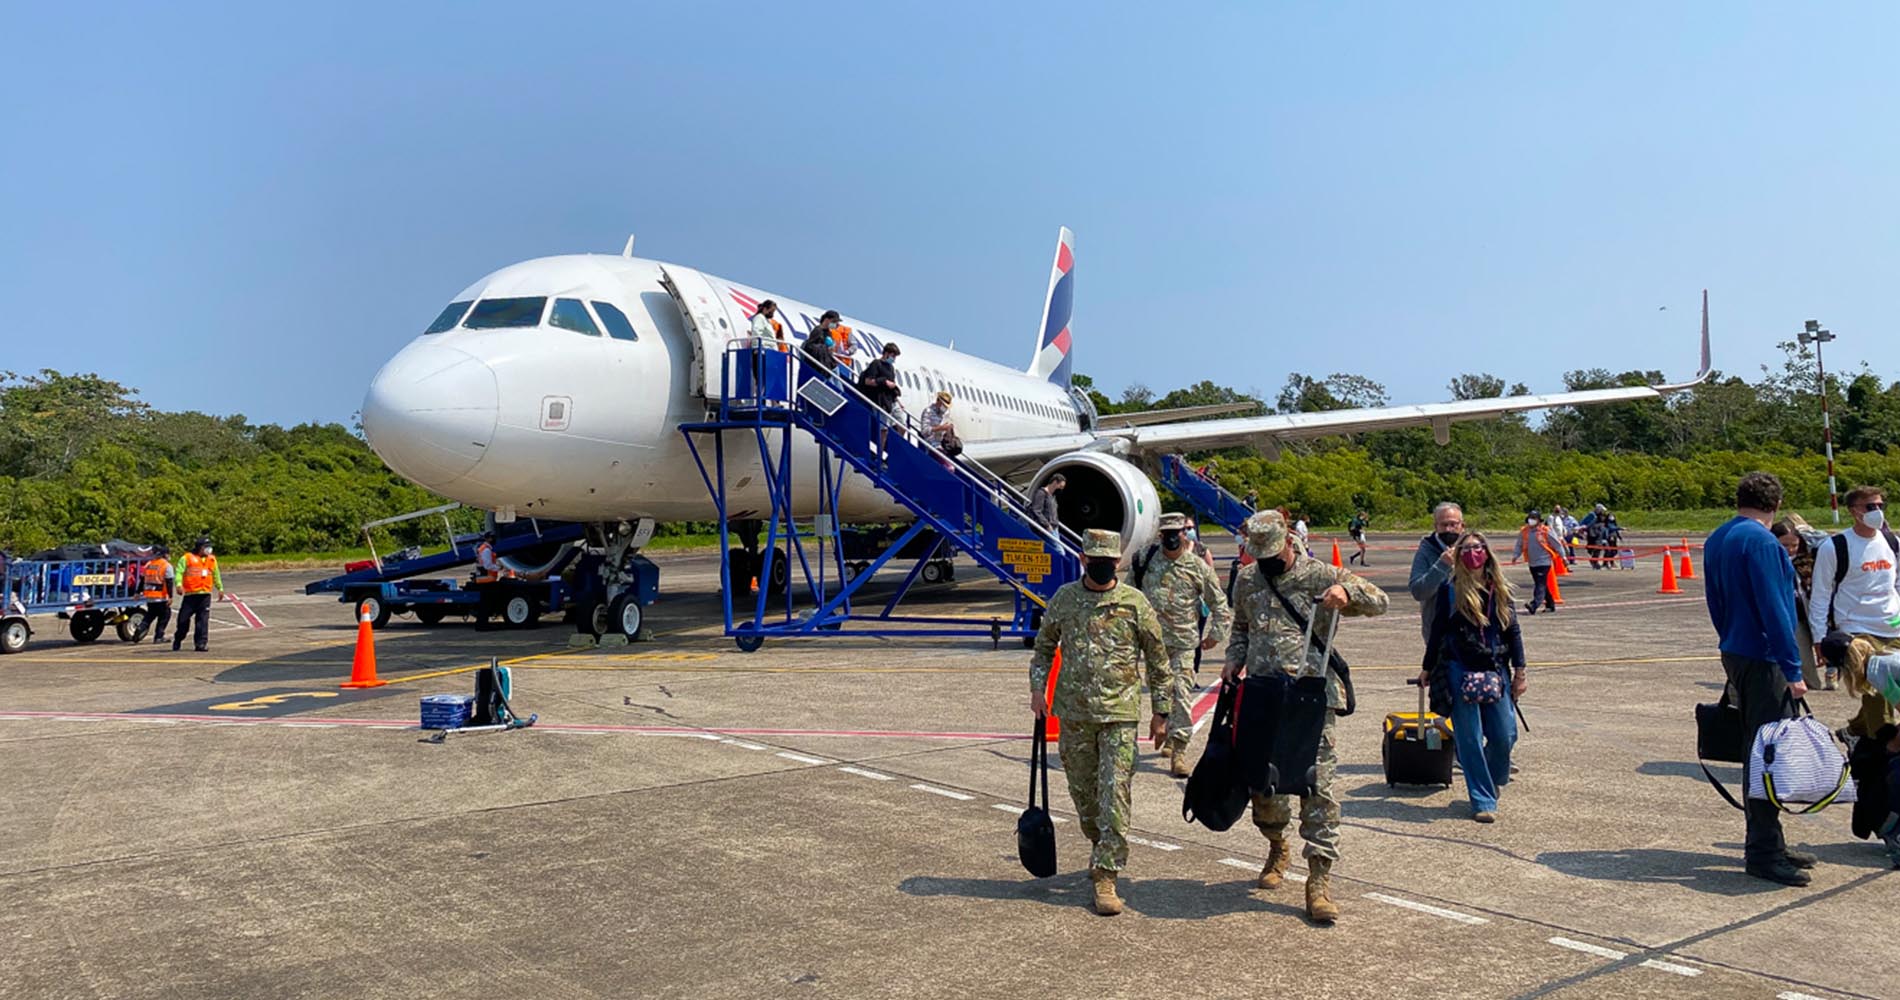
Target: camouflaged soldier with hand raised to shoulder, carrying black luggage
(1264,640)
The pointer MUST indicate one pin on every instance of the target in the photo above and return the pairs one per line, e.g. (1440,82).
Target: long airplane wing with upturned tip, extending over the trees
(1266,433)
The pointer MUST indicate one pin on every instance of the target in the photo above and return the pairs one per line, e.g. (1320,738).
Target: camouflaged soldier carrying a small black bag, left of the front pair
(1103,628)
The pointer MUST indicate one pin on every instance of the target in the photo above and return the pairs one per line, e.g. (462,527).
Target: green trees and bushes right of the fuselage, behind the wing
(1681,453)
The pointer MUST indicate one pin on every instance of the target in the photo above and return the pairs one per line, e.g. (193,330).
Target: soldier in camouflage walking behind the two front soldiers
(1179,583)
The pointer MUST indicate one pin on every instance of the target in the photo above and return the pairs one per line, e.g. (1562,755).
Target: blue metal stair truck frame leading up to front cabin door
(970,509)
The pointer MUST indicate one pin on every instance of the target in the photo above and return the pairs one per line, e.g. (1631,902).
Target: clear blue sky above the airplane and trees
(248,212)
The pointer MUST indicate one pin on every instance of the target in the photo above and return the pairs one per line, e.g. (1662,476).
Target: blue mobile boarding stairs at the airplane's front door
(778,404)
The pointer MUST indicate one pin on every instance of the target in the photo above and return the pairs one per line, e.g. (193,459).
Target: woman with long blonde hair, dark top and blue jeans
(1475,670)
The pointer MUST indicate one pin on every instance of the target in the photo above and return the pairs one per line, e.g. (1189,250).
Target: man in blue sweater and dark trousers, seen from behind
(1751,600)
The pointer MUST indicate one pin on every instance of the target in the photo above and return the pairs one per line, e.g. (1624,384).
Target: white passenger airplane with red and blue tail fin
(556,389)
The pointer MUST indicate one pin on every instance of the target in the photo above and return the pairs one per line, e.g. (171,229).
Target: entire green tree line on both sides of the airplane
(85,459)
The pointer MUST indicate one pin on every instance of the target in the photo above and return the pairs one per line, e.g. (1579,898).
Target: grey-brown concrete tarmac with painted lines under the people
(837,818)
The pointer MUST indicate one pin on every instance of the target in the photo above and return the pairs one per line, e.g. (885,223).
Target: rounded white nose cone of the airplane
(430,413)
